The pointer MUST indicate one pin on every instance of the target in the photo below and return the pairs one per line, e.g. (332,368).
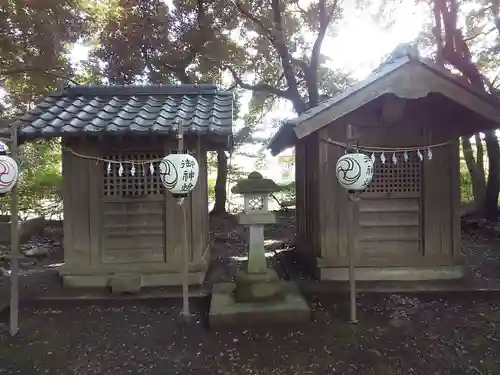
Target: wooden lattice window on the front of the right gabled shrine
(402,177)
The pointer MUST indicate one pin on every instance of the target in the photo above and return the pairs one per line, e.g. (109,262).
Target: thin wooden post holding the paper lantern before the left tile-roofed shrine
(184,230)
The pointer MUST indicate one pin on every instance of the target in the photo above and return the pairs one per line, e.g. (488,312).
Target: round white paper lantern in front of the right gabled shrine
(354,171)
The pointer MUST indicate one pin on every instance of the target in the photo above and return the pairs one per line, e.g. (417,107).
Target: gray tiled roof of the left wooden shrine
(130,109)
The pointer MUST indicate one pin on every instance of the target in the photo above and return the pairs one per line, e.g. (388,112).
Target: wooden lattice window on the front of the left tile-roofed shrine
(144,181)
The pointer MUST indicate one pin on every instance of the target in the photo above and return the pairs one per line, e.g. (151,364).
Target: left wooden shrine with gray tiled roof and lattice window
(120,223)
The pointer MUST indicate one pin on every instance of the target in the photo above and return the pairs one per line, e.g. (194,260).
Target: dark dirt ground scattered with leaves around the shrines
(427,334)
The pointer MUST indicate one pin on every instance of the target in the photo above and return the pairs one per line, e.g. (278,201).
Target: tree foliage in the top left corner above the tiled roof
(34,38)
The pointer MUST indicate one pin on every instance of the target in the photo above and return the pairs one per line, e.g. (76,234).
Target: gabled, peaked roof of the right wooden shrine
(394,77)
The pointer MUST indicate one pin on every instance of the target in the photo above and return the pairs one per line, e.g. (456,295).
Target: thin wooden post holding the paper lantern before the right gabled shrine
(352,217)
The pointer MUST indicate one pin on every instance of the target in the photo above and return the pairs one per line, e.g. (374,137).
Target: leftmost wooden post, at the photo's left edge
(14,244)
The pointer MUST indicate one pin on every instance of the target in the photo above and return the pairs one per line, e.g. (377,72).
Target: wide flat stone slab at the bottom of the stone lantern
(224,310)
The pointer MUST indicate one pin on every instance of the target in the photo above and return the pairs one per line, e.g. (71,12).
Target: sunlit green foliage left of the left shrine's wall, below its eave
(39,188)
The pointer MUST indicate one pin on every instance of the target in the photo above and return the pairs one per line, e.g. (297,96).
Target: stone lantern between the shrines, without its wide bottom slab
(257,282)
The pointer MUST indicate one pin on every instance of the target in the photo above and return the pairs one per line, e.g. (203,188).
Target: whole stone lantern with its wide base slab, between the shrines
(257,295)
